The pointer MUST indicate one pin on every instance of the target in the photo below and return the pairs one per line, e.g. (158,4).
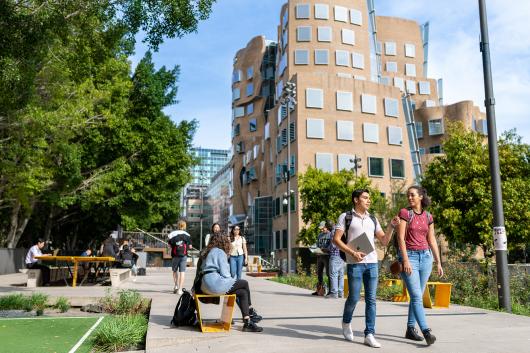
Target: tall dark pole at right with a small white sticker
(499,232)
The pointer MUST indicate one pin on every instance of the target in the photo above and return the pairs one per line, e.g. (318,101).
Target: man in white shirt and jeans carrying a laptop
(364,267)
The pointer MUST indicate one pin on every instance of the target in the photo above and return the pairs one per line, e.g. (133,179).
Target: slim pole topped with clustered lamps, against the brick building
(289,98)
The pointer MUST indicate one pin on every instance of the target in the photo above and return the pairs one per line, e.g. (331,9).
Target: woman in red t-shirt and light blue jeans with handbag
(417,246)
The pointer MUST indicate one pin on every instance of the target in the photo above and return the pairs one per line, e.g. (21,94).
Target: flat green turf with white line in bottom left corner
(44,334)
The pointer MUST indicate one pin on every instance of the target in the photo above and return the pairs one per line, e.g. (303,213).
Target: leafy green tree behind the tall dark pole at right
(459,183)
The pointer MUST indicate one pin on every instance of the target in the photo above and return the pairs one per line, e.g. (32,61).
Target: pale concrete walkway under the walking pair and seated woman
(295,321)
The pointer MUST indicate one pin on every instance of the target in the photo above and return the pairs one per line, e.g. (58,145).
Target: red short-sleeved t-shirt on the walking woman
(417,229)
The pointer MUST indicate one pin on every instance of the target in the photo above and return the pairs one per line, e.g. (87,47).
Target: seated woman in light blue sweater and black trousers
(217,279)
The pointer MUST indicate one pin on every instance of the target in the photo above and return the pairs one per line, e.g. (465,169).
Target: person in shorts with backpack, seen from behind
(180,243)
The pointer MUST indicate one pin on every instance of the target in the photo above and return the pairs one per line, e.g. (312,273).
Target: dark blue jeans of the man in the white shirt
(367,274)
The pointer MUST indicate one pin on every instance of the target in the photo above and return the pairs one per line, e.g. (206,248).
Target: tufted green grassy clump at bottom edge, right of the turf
(120,332)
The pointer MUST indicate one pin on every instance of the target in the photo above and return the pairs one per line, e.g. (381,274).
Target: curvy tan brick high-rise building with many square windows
(362,93)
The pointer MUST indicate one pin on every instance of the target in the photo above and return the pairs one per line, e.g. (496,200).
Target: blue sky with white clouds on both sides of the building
(205,58)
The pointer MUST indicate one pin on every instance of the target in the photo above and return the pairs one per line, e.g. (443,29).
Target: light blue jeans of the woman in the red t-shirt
(421,263)
